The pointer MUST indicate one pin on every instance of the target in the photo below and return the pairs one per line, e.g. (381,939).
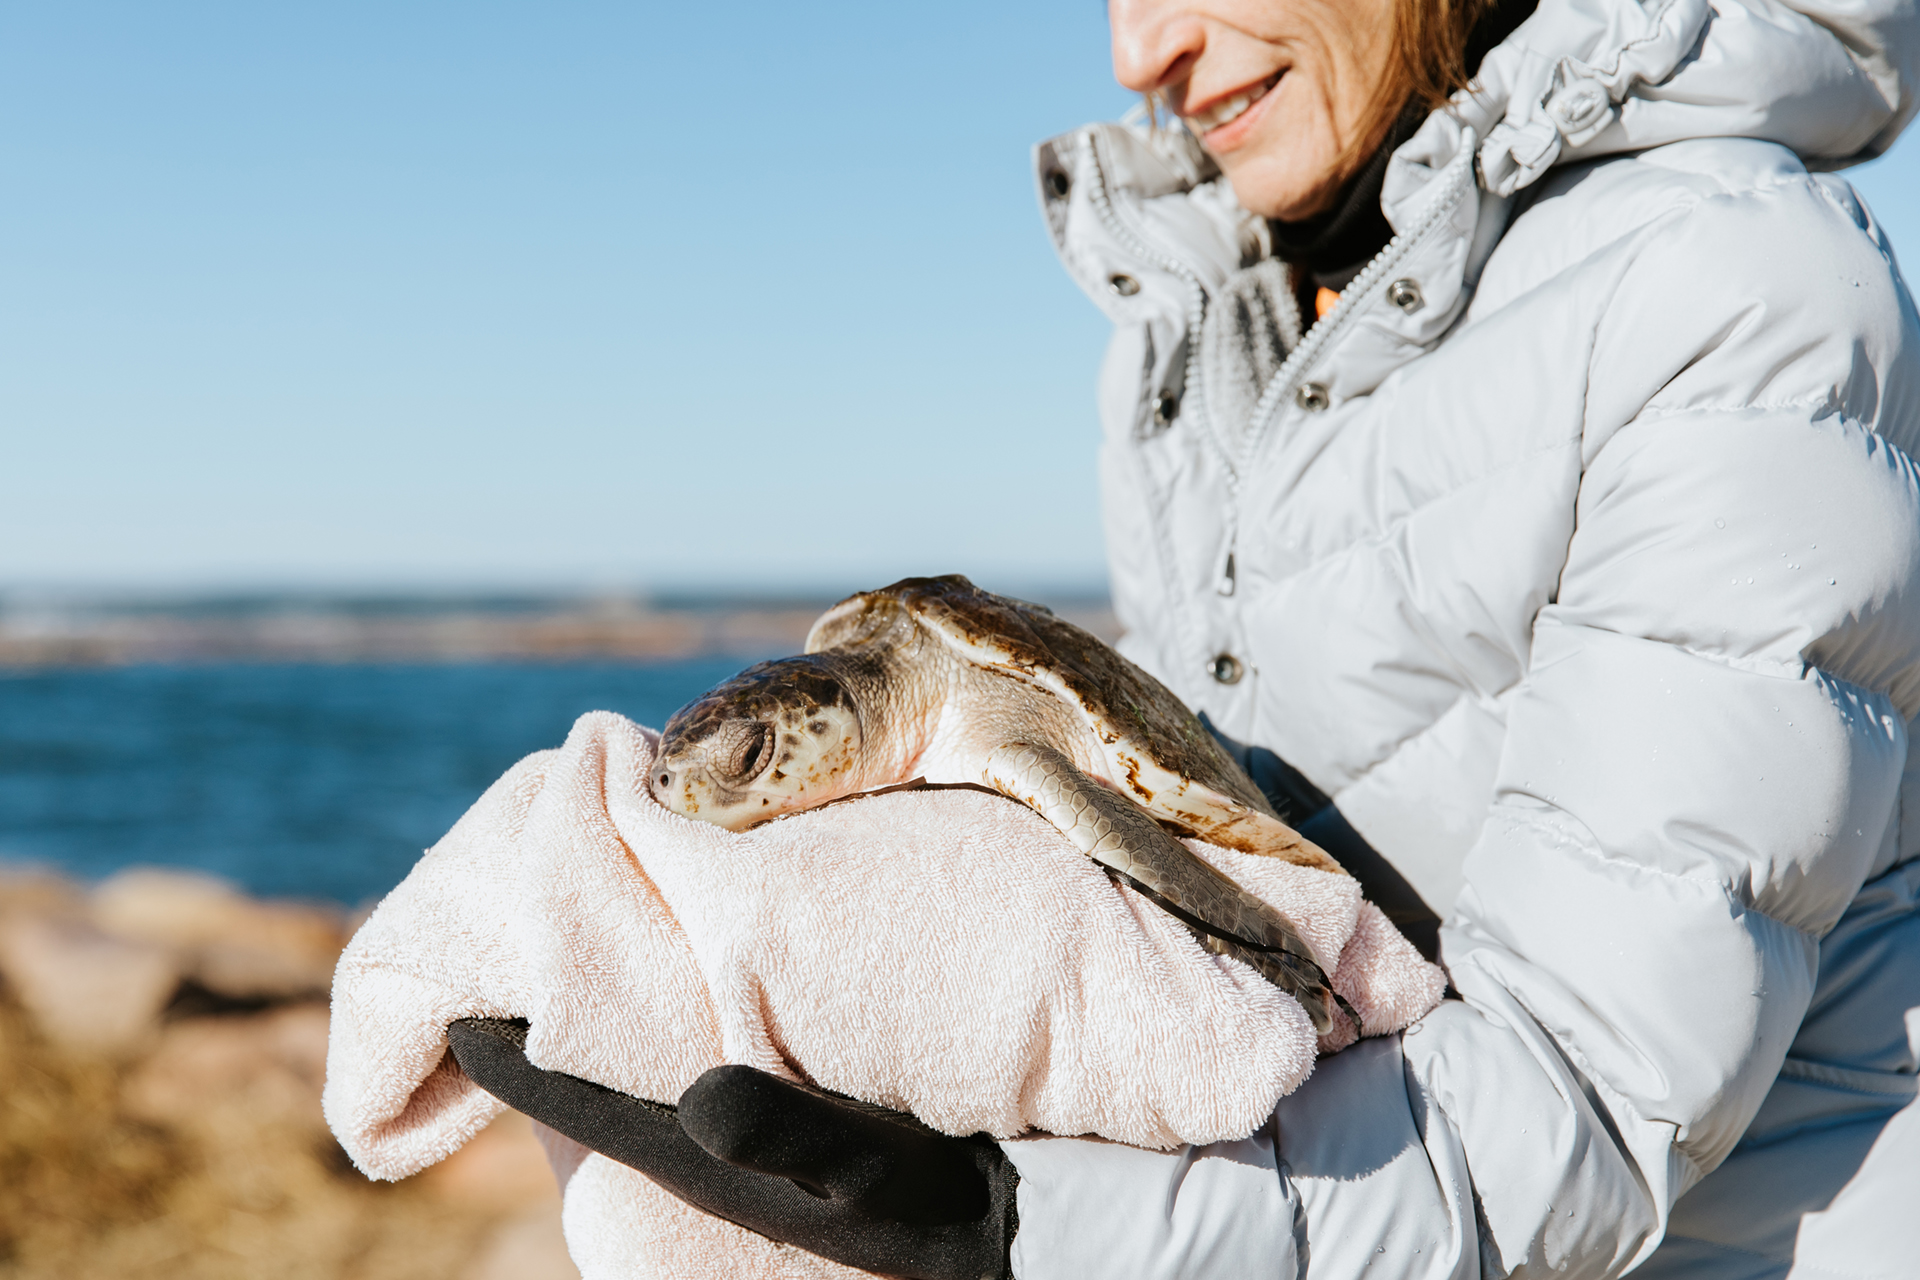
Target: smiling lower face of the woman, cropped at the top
(1276,89)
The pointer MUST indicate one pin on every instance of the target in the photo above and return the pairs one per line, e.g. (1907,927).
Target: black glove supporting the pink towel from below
(844,1179)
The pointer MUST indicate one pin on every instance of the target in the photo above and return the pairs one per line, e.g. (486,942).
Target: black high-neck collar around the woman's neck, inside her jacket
(1330,249)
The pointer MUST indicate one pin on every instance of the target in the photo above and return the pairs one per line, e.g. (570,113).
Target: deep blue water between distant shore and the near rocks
(306,782)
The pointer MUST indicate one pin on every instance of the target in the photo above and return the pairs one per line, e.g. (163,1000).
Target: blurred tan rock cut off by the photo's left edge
(85,989)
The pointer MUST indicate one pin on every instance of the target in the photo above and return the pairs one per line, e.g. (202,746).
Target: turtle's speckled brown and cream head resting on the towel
(779,738)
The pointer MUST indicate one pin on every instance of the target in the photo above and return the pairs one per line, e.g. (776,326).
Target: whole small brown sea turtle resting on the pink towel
(932,682)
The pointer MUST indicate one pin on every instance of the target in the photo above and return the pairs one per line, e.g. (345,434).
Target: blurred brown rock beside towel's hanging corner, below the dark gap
(270,1066)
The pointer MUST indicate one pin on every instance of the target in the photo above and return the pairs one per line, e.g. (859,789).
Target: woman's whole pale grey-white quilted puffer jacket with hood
(1577,556)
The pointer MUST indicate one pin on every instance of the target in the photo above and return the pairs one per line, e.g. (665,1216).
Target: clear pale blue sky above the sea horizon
(542,296)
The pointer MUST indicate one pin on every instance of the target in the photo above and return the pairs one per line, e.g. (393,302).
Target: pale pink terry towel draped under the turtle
(944,953)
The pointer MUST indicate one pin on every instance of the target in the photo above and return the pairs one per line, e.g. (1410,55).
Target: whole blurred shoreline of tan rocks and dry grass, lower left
(162,1056)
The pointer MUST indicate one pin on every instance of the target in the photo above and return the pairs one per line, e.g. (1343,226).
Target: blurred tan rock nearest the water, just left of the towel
(229,943)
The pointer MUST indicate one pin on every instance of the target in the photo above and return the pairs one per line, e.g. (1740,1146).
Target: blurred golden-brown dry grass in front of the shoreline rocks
(233,1191)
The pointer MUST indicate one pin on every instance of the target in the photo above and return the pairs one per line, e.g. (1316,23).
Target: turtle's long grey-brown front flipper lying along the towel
(1122,838)
